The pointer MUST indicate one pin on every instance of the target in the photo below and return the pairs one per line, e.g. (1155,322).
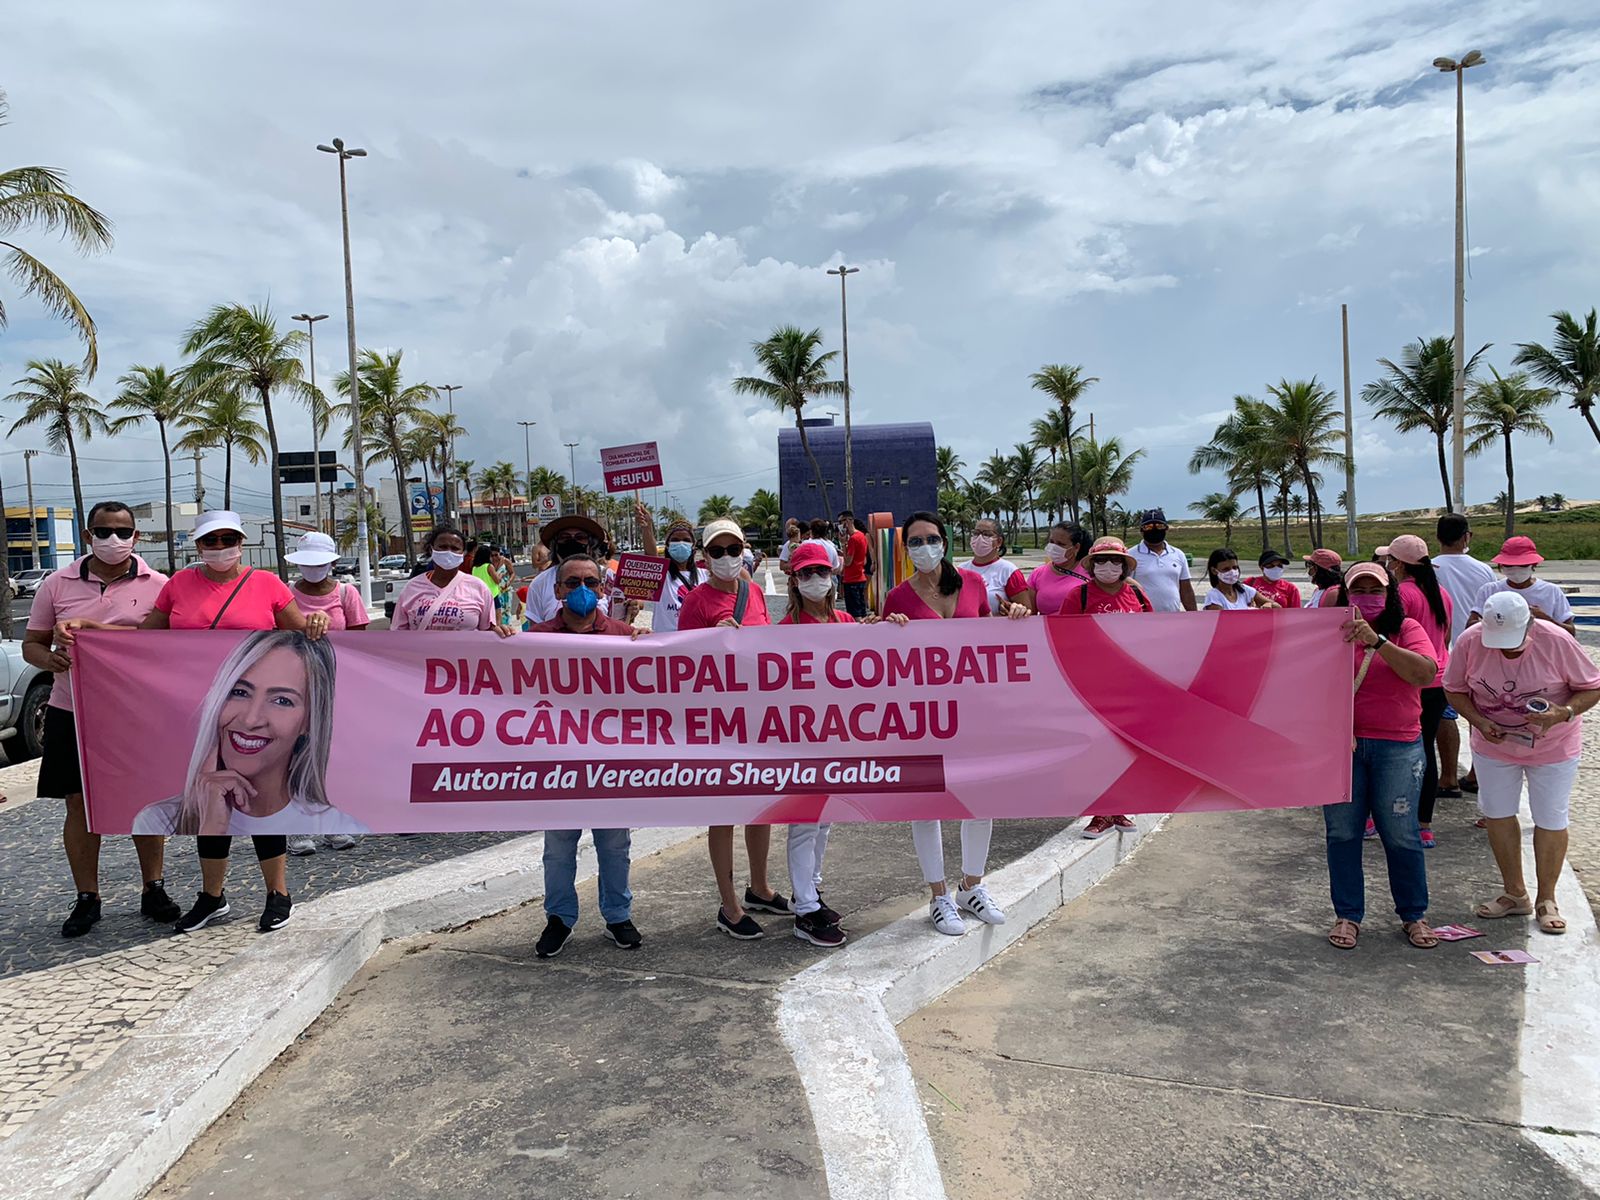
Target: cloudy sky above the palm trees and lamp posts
(585,214)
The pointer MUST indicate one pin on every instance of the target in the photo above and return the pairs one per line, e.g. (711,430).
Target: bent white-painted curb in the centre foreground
(839,1018)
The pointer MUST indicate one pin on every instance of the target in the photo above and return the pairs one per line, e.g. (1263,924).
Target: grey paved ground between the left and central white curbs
(462,1065)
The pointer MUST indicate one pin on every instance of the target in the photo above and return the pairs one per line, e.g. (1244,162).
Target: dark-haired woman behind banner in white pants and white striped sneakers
(940,591)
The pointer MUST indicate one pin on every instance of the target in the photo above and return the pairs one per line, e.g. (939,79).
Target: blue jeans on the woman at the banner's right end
(1386,785)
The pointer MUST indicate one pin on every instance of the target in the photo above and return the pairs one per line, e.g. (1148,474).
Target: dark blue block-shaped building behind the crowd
(894,470)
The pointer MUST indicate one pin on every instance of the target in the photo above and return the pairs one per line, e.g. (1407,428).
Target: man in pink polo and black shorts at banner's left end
(118,588)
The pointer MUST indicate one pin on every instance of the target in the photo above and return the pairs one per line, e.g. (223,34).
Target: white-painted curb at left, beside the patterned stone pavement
(118,1132)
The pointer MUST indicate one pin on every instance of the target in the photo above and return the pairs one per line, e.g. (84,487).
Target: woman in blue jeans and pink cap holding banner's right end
(1393,662)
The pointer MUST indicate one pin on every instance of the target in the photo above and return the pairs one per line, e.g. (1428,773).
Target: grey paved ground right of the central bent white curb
(1186,1031)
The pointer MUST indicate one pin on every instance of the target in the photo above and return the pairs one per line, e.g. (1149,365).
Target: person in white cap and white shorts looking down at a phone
(1522,686)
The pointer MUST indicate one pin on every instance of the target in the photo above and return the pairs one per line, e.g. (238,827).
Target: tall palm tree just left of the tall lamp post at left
(239,350)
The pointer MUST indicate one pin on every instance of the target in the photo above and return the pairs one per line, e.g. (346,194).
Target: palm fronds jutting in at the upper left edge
(38,198)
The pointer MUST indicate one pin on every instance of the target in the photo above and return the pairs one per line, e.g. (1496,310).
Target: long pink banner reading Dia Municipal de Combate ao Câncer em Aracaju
(201,732)
